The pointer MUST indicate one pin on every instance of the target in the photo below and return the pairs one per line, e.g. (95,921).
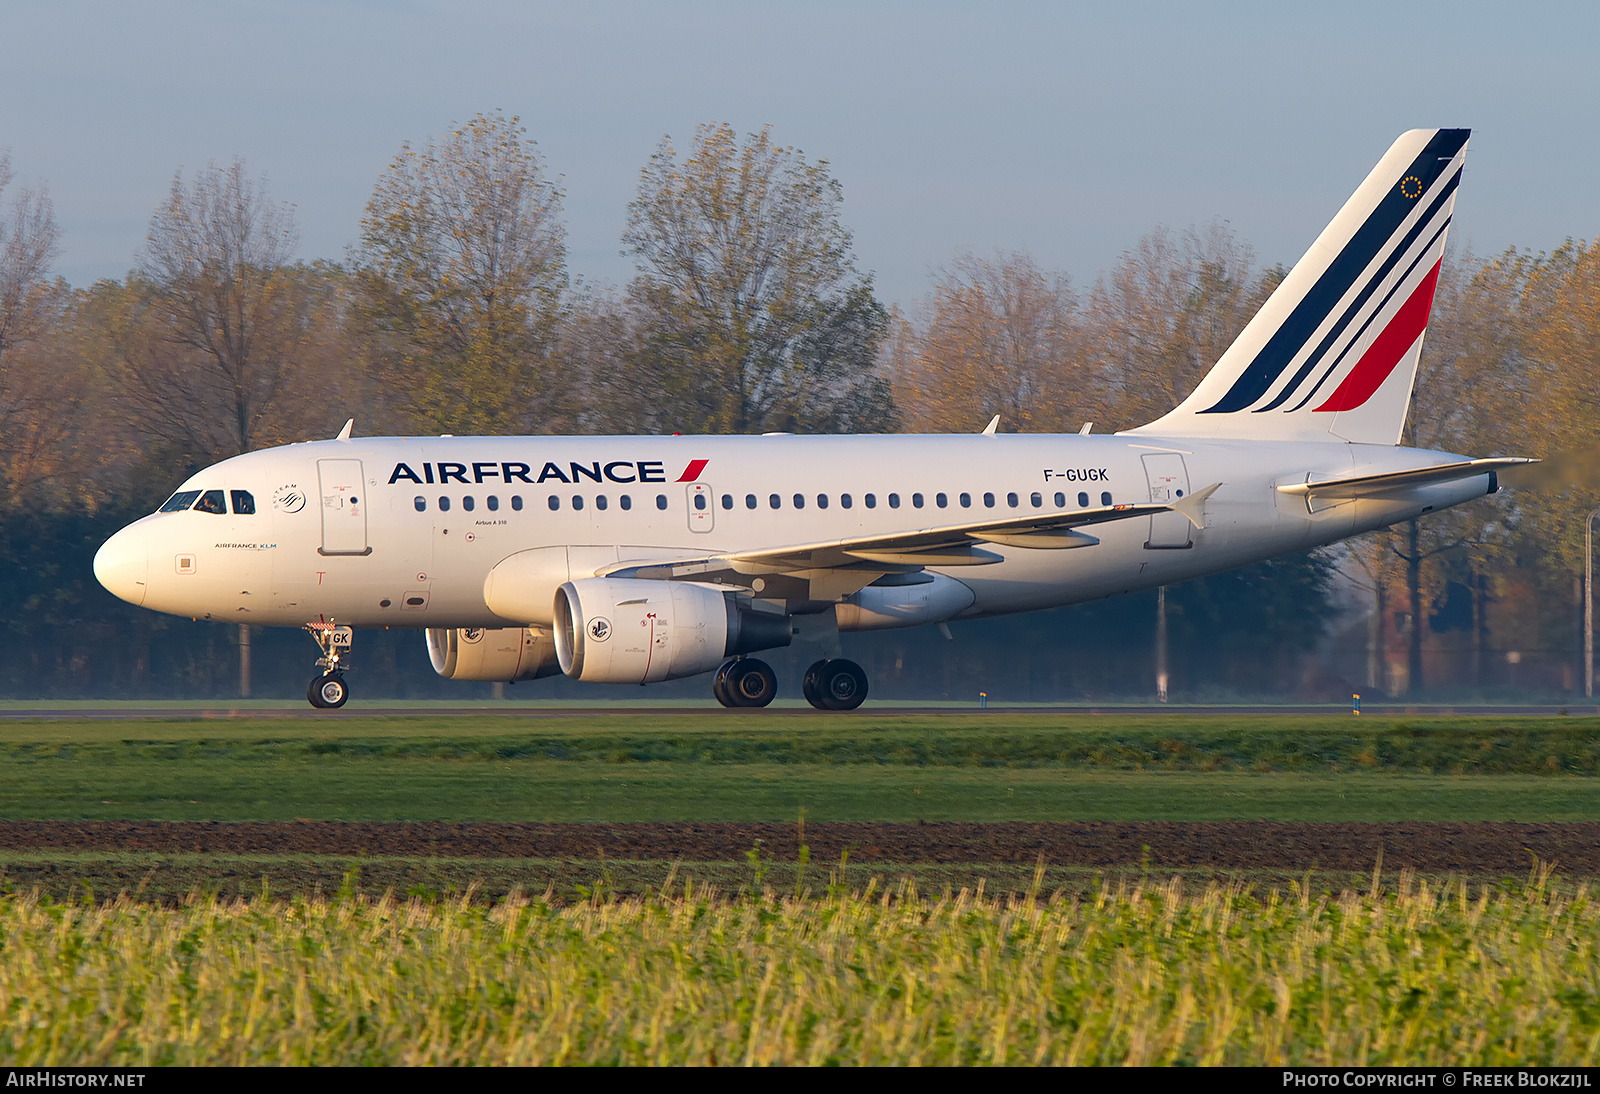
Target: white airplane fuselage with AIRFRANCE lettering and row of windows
(404,532)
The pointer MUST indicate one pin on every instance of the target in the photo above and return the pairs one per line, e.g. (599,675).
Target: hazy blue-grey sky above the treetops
(1063,129)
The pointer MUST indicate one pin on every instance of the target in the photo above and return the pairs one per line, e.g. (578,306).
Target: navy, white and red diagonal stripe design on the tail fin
(1353,327)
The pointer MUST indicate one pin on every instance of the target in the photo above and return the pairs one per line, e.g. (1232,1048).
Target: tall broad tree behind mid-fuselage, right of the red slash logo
(756,316)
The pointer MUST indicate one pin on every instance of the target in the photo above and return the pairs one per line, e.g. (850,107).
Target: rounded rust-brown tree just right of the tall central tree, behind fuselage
(1001,340)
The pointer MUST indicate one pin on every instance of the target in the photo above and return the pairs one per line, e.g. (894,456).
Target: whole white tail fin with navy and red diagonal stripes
(1334,353)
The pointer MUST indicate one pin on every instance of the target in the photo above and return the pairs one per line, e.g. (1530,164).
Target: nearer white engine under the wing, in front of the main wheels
(630,631)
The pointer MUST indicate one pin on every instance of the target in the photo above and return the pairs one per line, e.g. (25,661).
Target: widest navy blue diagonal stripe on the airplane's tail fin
(1342,274)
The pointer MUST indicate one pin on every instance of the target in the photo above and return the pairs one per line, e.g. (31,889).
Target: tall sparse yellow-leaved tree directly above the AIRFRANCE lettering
(463,263)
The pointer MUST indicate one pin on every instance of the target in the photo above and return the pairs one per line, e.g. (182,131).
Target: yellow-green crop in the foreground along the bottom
(1127,973)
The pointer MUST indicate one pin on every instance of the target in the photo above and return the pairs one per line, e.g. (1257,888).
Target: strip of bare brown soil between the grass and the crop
(1252,845)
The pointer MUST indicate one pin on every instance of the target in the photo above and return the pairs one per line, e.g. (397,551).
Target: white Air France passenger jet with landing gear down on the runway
(646,559)
